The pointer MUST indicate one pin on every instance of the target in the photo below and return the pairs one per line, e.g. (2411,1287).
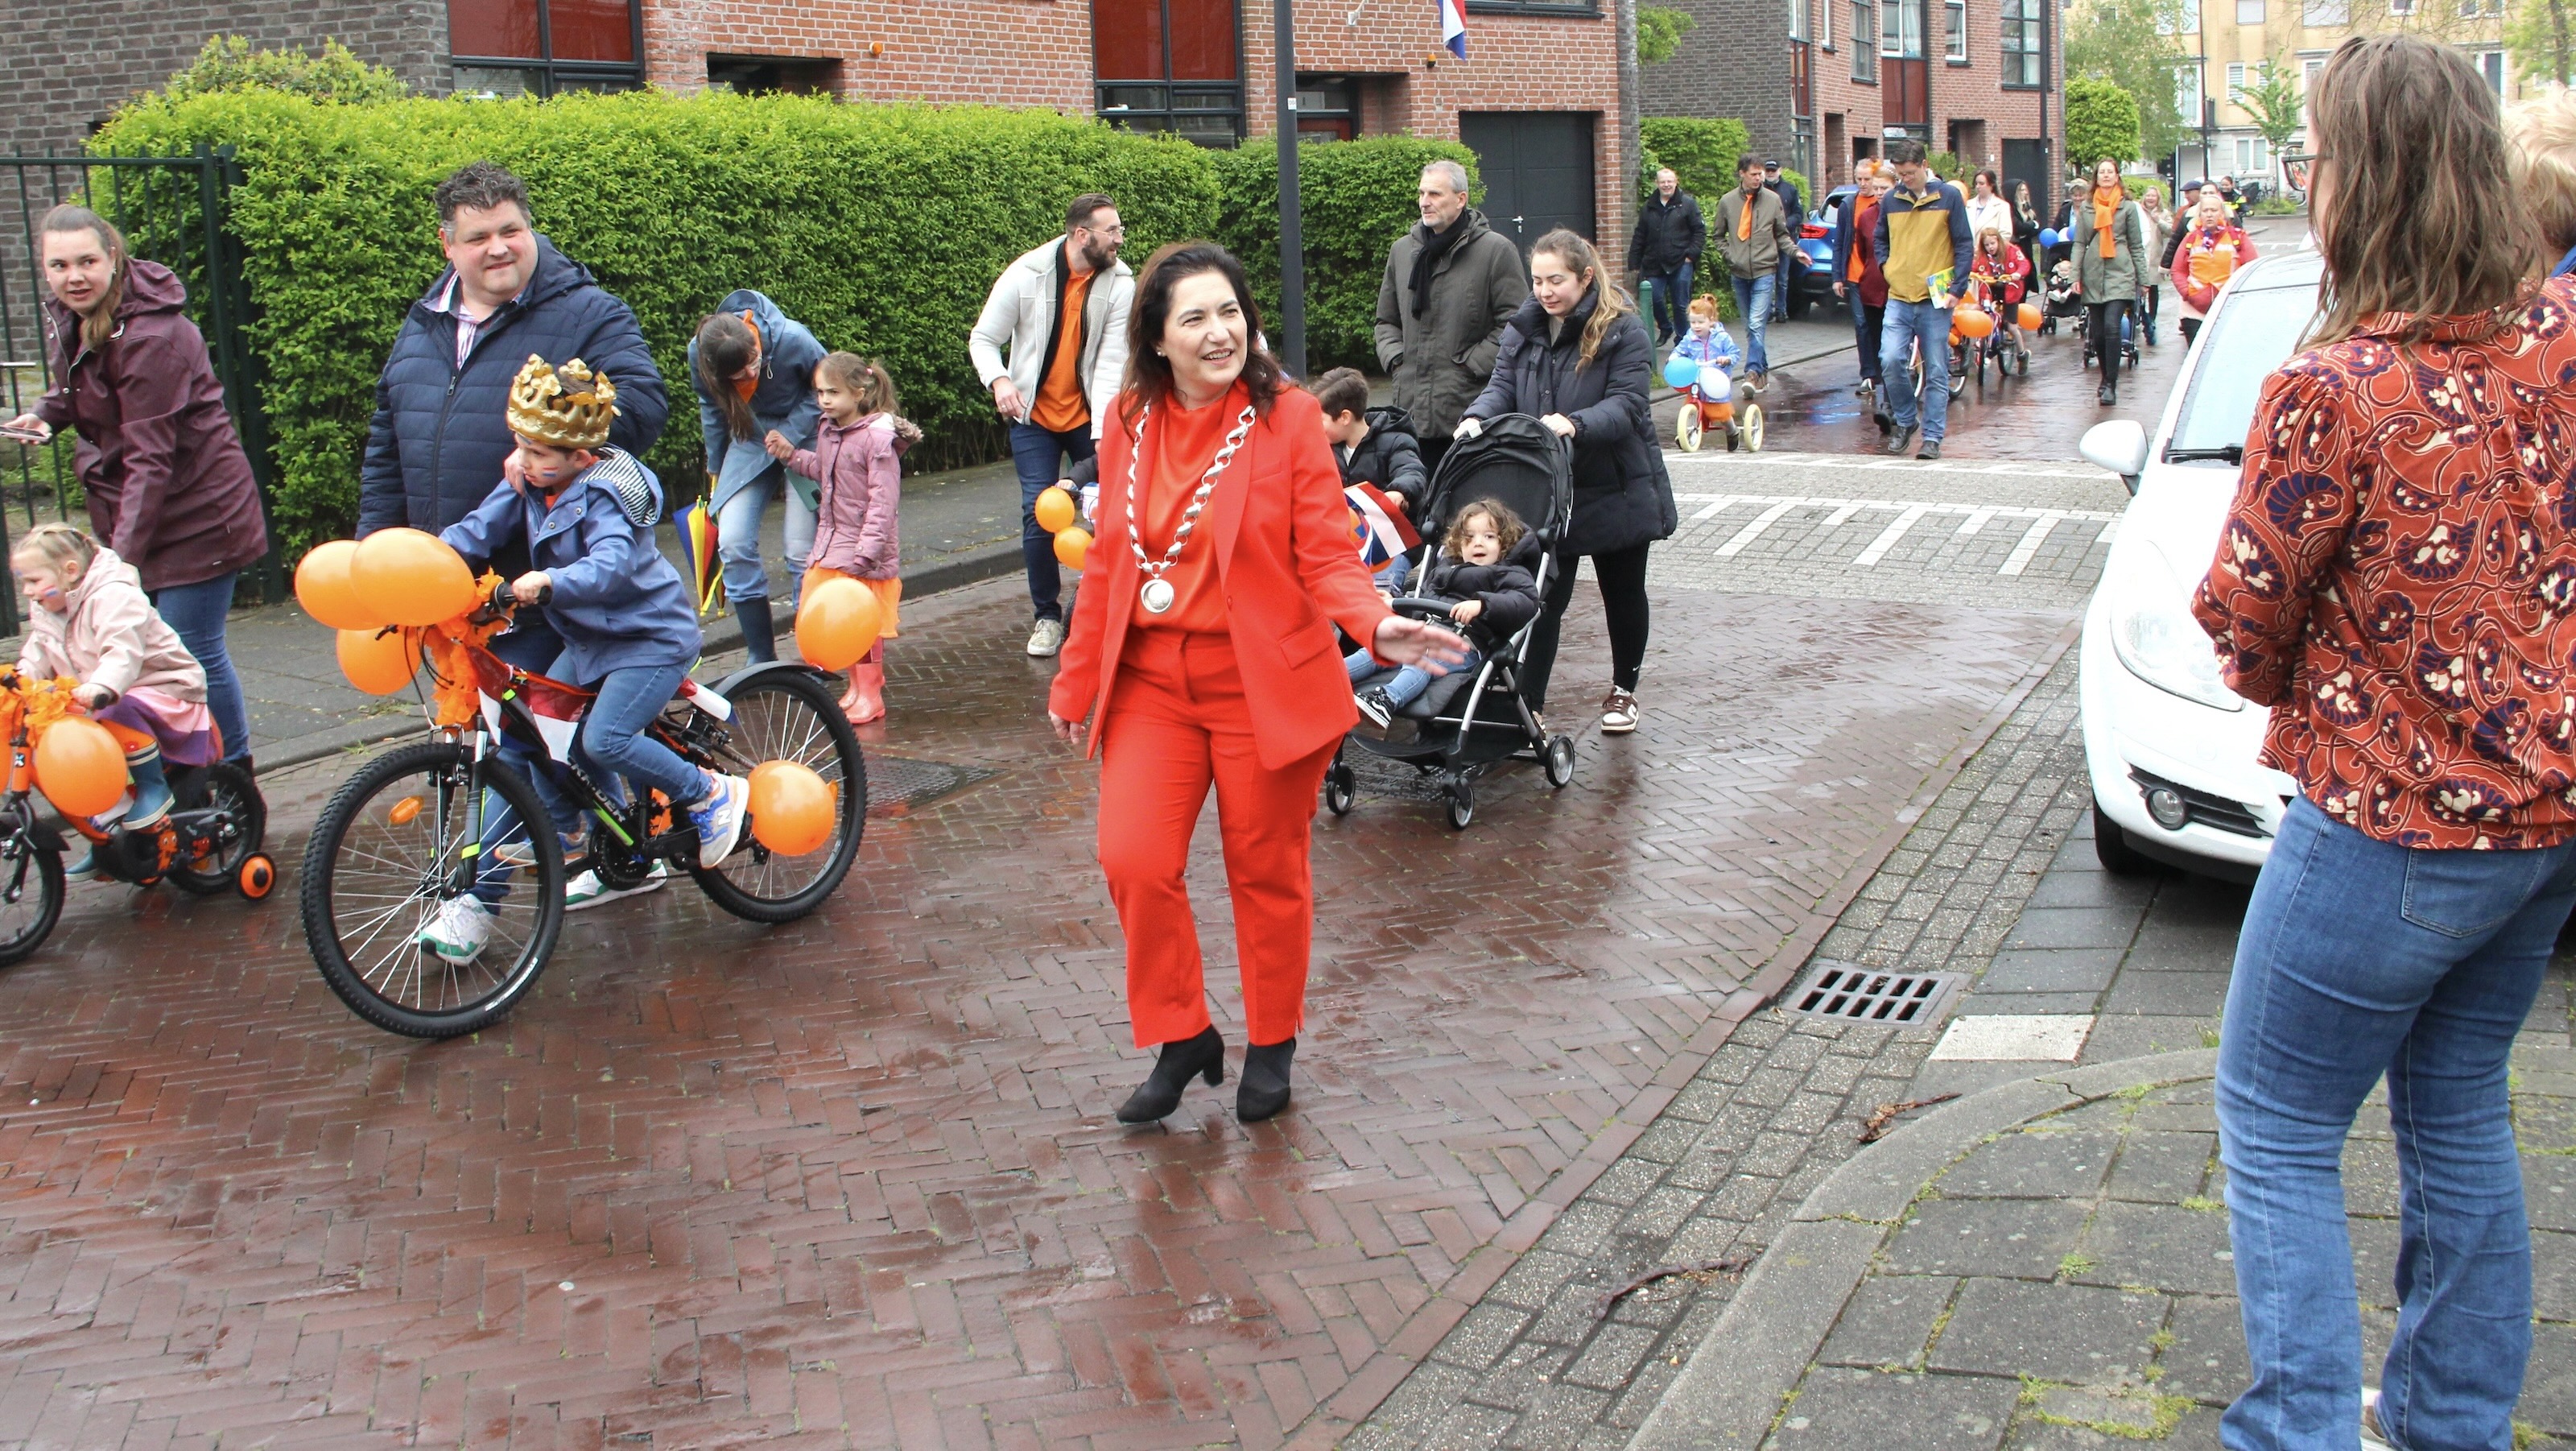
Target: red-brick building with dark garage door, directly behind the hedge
(1537,94)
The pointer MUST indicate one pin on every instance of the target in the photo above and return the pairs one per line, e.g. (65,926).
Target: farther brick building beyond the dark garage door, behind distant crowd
(1982,79)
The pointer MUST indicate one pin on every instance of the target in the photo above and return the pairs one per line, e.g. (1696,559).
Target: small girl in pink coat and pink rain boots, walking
(857,457)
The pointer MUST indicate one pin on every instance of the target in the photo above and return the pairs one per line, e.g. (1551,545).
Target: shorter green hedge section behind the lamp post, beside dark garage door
(1354,202)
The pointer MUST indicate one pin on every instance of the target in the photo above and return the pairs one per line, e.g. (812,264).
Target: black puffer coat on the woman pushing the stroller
(1622,491)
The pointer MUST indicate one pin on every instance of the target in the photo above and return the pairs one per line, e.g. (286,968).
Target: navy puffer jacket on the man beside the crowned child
(439,437)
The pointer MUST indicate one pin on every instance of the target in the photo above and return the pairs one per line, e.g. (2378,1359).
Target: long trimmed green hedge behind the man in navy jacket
(877,226)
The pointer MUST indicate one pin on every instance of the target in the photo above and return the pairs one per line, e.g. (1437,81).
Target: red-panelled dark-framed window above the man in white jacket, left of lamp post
(1171,66)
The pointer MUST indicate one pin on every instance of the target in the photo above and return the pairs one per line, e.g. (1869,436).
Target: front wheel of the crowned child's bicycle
(380,867)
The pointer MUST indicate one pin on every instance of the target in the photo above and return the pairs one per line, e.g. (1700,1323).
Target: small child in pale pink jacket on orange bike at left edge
(94,625)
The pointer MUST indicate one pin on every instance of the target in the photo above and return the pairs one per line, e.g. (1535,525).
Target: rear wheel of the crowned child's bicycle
(784,715)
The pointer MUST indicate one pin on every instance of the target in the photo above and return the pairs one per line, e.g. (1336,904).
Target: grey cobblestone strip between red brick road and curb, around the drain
(1750,1138)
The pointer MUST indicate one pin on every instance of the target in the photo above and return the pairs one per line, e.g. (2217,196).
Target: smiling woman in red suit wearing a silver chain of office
(1204,653)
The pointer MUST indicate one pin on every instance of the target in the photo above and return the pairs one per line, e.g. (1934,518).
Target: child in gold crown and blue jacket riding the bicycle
(630,633)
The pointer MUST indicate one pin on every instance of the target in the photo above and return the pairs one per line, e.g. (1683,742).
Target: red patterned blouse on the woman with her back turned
(2397,579)
